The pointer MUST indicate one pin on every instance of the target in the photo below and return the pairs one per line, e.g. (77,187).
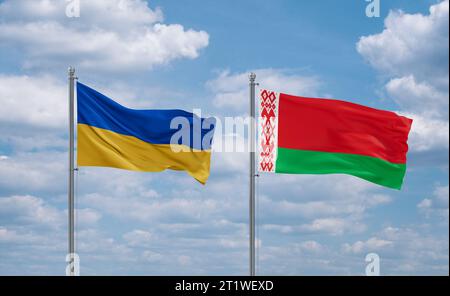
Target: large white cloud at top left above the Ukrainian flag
(111,35)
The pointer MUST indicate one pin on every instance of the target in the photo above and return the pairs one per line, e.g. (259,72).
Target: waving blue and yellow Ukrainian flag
(111,135)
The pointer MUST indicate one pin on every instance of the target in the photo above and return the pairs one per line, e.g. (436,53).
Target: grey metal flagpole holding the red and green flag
(252,78)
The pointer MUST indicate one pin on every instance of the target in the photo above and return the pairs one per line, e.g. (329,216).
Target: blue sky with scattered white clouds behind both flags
(197,55)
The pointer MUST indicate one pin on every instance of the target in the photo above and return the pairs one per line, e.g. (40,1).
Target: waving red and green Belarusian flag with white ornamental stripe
(321,136)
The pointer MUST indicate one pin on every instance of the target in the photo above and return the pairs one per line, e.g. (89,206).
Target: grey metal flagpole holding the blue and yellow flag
(71,211)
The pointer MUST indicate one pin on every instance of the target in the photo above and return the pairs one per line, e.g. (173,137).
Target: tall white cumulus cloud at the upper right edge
(413,53)
